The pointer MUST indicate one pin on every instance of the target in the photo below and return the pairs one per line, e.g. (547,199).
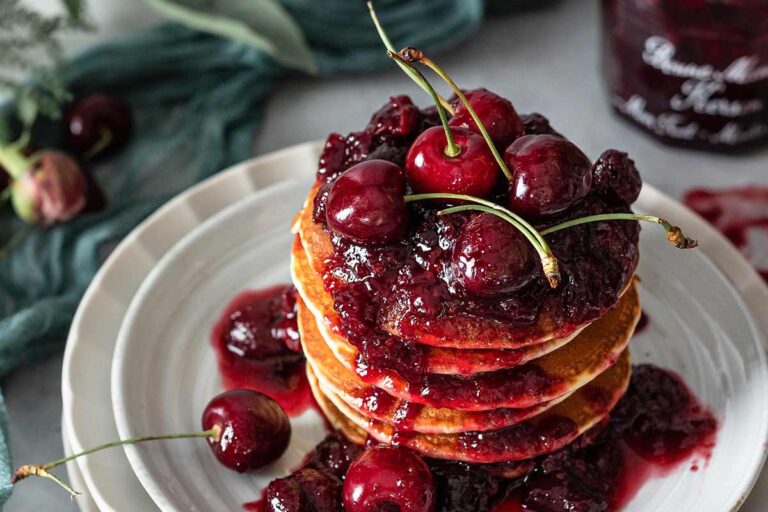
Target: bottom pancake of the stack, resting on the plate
(542,434)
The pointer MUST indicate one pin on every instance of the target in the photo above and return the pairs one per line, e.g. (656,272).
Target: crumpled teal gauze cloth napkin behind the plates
(197,100)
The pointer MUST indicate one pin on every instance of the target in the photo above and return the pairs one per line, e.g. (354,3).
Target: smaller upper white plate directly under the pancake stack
(164,368)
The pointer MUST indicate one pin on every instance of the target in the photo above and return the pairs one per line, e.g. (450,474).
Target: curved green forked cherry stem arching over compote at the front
(548,260)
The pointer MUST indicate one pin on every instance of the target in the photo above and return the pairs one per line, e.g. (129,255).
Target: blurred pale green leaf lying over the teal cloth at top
(262,23)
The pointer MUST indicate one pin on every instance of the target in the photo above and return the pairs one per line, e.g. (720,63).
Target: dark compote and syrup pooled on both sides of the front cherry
(658,425)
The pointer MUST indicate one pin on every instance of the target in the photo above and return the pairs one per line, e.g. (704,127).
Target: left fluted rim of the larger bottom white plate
(87,402)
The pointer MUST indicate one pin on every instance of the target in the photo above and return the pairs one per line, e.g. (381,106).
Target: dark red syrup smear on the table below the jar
(741,214)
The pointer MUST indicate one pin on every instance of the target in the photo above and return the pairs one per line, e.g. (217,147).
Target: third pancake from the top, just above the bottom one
(538,382)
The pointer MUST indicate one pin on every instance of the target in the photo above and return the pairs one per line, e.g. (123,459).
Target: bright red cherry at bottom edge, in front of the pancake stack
(389,478)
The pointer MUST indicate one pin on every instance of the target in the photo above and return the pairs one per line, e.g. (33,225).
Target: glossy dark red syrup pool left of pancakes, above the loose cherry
(256,340)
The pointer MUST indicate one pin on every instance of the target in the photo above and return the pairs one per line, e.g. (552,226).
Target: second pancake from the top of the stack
(452,361)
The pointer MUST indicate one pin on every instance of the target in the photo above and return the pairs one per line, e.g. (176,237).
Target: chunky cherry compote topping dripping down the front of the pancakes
(413,282)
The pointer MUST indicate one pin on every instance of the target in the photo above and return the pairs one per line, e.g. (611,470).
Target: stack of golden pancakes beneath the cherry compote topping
(586,373)
